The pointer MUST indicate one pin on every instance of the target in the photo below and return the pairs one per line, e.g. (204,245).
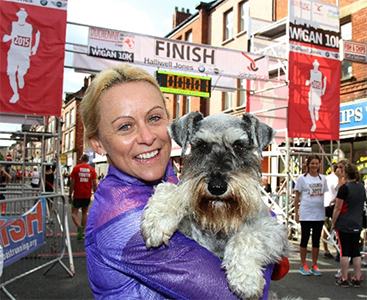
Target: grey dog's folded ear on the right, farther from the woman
(260,133)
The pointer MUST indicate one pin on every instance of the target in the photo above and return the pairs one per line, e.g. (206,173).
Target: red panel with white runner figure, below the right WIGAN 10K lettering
(313,108)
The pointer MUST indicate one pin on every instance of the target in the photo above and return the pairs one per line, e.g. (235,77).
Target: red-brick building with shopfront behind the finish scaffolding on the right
(225,23)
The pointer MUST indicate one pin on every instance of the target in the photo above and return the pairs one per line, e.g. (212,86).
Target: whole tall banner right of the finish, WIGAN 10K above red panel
(314,70)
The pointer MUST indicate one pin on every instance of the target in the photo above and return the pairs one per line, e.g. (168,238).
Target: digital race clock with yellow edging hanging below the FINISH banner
(175,83)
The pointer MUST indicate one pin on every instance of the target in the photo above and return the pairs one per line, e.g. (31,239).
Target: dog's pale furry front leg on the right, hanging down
(255,246)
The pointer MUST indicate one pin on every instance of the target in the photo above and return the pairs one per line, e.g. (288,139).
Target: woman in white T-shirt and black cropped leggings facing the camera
(309,193)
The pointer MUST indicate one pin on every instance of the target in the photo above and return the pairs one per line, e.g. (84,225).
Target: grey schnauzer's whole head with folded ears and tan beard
(223,166)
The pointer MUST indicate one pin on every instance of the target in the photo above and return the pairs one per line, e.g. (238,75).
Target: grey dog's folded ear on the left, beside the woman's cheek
(181,130)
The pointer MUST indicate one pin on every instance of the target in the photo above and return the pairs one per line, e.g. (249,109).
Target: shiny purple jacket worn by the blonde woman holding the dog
(120,266)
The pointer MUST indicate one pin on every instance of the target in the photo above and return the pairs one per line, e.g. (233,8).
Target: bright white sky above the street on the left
(138,16)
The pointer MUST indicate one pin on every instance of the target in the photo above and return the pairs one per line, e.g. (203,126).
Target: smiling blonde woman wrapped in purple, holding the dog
(126,119)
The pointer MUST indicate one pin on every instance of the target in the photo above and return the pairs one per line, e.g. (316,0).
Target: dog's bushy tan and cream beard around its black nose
(224,213)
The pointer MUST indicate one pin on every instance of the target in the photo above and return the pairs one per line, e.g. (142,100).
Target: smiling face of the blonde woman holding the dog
(133,130)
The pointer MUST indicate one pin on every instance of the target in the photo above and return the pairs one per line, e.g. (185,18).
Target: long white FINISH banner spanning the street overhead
(183,57)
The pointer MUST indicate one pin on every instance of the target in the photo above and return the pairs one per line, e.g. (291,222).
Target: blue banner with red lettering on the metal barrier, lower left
(22,235)
